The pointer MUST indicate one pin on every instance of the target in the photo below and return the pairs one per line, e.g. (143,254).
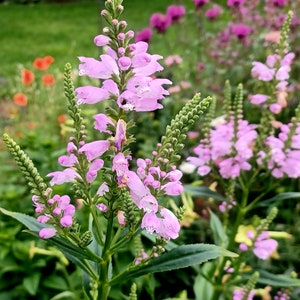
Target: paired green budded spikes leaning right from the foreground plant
(175,135)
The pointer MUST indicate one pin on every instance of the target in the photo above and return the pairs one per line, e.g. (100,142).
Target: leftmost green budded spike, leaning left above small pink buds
(34,179)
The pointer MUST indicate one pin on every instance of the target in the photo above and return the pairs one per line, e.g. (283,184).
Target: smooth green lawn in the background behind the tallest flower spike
(63,31)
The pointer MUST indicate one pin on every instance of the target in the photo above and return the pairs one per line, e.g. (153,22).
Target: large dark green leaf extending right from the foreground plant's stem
(179,257)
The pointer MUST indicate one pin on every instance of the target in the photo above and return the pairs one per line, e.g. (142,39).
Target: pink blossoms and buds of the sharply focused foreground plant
(126,71)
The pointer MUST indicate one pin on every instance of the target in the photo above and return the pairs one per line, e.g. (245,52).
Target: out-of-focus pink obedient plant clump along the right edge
(239,157)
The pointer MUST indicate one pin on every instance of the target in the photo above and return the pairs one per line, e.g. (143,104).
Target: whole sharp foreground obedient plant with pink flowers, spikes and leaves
(123,201)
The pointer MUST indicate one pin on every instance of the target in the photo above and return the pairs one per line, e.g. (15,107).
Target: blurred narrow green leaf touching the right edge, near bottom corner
(279,280)
